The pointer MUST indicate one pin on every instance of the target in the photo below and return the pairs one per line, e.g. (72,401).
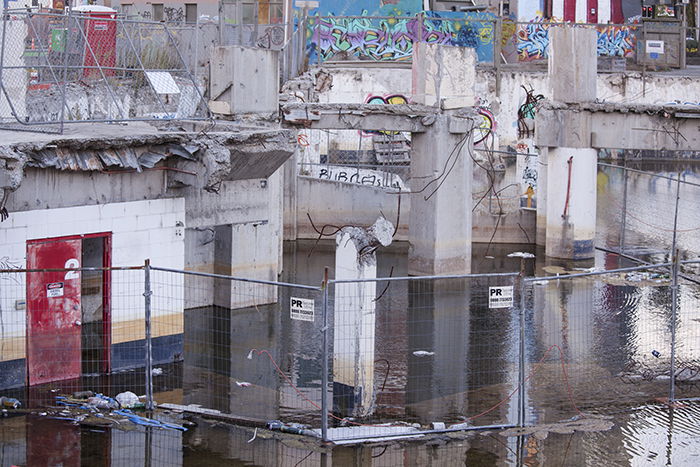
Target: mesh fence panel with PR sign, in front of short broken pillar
(422,351)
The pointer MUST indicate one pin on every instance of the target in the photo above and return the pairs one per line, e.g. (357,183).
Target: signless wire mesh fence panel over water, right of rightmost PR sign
(597,342)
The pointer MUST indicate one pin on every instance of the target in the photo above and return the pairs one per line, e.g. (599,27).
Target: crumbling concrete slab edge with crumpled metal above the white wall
(219,153)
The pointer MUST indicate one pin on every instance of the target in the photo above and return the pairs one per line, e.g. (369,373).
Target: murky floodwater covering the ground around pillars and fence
(439,353)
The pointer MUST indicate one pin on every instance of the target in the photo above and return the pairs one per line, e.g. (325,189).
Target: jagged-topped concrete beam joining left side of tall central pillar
(369,117)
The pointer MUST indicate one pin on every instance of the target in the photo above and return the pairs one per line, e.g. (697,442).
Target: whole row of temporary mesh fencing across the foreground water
(356,359)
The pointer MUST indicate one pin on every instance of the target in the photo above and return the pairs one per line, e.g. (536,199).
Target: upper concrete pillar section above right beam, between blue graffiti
(573,64)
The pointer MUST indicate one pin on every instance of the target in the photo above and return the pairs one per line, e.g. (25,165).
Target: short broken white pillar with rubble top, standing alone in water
(354,318)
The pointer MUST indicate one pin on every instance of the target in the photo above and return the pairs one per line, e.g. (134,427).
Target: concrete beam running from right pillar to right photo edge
(619,128)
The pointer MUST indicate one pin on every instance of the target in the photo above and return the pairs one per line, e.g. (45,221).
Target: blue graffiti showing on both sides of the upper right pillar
(613,41)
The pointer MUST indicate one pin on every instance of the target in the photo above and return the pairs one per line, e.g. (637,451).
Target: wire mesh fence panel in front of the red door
(67,331)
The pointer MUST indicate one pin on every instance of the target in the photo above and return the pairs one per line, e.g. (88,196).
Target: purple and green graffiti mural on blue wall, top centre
(392,39)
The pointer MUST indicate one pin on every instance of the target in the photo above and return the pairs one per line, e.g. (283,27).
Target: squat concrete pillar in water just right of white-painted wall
(250,251)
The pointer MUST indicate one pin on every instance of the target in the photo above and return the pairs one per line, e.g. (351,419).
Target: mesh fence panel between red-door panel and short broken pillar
(249,349)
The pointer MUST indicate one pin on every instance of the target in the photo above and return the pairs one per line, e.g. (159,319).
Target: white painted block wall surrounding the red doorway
(140,230)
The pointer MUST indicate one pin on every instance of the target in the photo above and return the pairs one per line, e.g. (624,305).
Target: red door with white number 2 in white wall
(53,311)
